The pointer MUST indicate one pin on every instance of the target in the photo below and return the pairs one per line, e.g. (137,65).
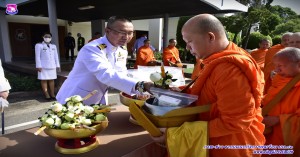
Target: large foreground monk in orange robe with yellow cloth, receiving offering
(228,71)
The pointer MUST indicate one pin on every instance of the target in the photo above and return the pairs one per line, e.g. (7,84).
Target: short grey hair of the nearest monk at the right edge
(290,53)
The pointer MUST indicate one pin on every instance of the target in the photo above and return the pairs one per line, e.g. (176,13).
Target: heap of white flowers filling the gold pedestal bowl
(73,114)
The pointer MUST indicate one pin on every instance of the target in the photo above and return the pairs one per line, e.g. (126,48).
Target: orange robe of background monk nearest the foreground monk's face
(168,56)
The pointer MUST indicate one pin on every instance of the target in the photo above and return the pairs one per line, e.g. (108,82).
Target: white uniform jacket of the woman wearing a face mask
(46,57)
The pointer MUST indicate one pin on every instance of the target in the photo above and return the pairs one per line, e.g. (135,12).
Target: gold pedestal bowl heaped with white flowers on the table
(74,124)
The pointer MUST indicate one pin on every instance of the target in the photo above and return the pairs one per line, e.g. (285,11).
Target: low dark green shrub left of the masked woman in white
(21,82)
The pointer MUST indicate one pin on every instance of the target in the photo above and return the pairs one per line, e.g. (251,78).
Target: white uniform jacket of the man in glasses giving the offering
(98,66)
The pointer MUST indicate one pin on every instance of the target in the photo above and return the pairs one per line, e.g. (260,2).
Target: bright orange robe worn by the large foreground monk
(232,83)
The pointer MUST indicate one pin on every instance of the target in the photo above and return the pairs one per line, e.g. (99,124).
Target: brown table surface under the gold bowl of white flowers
(119,138)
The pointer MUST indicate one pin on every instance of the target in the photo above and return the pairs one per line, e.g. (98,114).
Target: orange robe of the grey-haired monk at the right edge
(287,132)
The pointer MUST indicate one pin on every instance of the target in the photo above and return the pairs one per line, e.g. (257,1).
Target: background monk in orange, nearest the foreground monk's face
(171,55)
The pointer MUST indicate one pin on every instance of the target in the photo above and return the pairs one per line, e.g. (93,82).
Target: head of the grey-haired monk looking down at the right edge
(287,62)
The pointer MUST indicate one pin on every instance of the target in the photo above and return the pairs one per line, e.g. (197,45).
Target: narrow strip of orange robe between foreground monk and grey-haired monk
(269,65)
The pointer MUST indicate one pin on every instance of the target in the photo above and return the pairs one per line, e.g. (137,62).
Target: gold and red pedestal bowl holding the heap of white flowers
(76,141)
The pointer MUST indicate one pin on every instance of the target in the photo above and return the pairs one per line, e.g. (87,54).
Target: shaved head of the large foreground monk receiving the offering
(204,35)
